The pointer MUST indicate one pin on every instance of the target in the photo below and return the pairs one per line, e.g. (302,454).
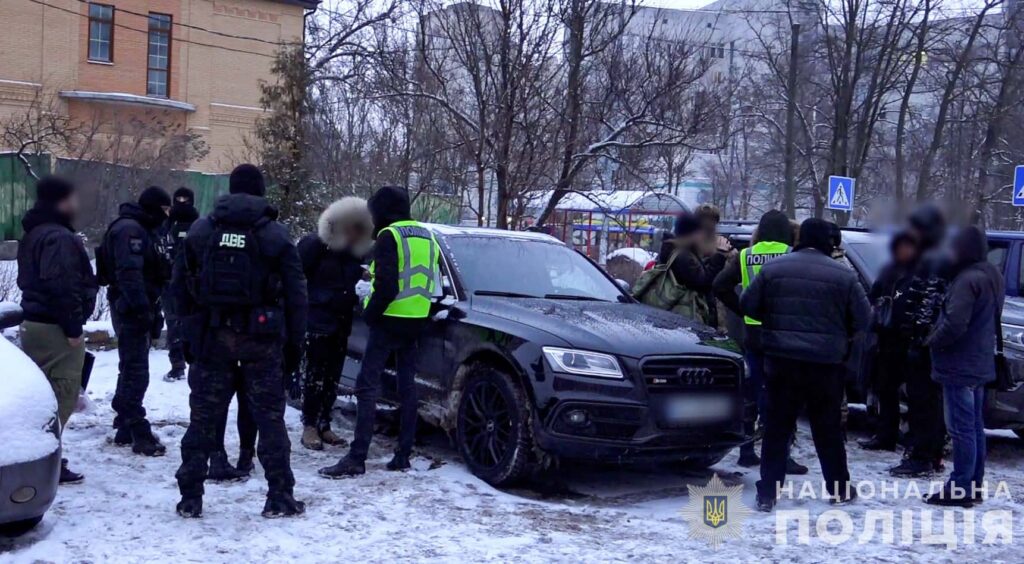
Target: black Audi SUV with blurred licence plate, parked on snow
(536,355)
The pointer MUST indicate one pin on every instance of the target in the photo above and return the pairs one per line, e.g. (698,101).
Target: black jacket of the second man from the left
(135,268)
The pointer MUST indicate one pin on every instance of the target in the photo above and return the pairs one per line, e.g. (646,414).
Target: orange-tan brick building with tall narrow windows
(193,64)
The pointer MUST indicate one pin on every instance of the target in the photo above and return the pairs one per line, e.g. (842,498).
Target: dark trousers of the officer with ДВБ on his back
(259,361)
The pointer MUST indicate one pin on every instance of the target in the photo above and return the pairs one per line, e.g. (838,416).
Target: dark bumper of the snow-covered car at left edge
(41,475)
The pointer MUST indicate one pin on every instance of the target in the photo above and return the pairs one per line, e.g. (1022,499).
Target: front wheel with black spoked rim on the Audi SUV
(493,429)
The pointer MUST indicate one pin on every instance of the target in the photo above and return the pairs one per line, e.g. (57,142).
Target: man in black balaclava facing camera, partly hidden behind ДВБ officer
(183,215)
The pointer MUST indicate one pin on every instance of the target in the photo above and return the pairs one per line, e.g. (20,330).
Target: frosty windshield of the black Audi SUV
(522,268)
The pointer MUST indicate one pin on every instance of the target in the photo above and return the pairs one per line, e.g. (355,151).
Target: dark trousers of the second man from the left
(134,369)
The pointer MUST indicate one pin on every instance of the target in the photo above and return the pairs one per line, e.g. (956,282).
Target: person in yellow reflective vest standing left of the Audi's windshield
(404,274)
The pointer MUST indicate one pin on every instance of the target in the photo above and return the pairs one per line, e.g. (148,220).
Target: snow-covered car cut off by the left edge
(30,448)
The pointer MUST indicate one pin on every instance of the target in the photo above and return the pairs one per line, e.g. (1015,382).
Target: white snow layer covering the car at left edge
(27,409)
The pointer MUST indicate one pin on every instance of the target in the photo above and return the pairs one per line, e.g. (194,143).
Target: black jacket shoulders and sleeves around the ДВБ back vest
(276,247)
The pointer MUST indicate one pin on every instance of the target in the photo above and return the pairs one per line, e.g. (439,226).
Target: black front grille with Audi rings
(672,374)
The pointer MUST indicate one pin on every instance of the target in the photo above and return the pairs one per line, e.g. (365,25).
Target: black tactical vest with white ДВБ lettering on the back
(233,271)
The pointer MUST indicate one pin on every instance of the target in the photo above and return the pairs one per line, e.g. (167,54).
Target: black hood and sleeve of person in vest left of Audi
(388,206)
